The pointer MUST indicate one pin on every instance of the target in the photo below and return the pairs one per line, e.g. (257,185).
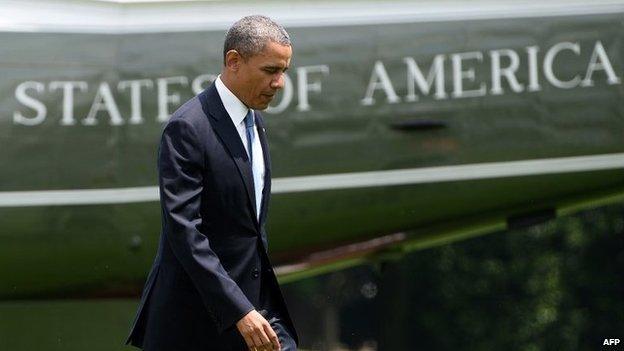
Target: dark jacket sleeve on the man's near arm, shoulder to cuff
(180,166)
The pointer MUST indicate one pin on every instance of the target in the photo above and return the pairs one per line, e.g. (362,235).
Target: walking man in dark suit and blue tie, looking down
(211,286)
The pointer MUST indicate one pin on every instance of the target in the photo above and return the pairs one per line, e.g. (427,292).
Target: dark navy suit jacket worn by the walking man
(212,257)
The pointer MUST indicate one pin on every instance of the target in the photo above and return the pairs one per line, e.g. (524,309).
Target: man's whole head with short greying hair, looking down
(256,53)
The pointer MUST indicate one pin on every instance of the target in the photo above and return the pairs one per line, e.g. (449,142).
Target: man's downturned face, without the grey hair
(260,76)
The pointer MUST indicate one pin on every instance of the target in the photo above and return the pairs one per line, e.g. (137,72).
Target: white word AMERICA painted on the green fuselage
(463,68)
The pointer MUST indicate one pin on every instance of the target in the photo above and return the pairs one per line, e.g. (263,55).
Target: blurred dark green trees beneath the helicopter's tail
(554,286)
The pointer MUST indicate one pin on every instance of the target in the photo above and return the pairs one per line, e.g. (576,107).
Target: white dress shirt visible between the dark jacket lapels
(237,111)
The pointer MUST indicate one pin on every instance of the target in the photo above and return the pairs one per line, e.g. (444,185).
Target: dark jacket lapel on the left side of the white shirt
(225,129)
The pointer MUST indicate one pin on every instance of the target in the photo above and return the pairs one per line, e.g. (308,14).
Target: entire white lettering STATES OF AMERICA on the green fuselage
(510,71)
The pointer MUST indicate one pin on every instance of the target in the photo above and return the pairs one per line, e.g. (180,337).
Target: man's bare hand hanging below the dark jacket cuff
(257,332)
